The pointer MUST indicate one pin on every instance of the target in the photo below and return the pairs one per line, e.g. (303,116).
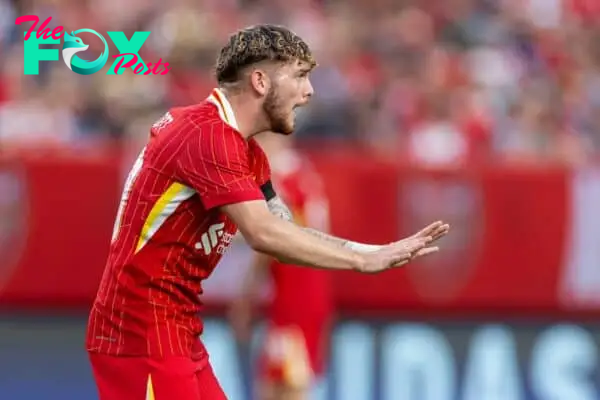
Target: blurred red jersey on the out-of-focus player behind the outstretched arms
(302,296)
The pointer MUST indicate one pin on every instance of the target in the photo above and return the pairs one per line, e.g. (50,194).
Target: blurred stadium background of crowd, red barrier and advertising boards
(485,113)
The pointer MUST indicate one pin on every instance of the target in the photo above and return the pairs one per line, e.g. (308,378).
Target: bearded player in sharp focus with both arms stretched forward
(200,178)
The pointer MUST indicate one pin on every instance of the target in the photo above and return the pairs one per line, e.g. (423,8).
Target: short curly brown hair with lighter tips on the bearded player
(256,44)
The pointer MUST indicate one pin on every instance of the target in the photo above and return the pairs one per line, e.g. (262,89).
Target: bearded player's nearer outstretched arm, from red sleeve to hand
(221,177)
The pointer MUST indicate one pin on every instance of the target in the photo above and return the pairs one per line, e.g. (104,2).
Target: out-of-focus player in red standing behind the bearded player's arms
(299,315)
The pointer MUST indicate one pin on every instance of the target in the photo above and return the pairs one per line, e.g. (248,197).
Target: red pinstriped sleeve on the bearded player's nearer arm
(215,163)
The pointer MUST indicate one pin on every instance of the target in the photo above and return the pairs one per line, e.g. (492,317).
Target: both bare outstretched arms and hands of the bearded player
(292,244)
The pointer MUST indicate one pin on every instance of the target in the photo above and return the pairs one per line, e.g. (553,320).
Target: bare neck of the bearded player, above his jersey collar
(248,113)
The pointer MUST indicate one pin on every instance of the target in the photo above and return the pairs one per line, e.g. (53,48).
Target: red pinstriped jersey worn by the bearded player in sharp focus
(169,234)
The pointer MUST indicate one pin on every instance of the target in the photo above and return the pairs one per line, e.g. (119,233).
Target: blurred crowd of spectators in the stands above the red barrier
(441,82)
